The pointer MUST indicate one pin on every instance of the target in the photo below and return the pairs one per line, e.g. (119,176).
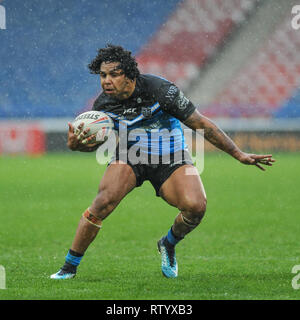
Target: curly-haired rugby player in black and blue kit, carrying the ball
(146,102)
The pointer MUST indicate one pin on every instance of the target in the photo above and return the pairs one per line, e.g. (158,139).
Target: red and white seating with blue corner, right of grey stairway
(263,86)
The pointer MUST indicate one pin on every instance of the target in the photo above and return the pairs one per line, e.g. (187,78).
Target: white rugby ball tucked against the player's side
(98,122)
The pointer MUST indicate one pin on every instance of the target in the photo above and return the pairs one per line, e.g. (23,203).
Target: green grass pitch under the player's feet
(245,247)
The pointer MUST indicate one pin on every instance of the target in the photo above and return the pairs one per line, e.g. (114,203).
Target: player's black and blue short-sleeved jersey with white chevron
(151,115)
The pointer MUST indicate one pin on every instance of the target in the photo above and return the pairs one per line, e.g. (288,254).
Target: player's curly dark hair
(112,53)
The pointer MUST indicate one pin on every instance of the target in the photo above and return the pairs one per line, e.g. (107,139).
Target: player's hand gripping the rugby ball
(78,140)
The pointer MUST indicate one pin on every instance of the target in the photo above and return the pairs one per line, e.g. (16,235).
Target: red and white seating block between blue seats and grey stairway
(191,36)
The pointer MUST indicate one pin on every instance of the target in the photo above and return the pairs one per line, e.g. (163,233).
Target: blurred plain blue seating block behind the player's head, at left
(47,47)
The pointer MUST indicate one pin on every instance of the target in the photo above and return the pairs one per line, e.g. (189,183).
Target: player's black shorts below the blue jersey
(157,174)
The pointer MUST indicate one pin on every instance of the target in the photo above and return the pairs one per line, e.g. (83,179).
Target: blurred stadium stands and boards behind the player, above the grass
(237,60)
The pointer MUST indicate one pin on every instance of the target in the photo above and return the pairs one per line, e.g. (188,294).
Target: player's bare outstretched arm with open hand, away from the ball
(219,138)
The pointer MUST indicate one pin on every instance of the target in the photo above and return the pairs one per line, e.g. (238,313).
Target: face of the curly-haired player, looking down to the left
(113,80)
